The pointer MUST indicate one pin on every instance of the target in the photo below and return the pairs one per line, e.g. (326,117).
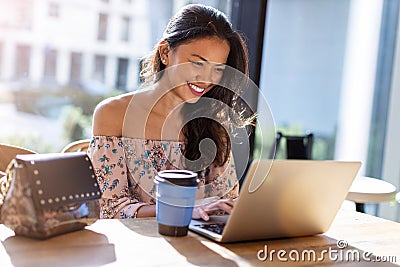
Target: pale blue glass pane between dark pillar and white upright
(302,68)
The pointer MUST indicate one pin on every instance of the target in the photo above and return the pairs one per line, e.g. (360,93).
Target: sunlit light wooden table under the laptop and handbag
(136,242)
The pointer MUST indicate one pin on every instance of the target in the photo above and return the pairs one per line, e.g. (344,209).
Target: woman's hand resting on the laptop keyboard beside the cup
(202,211)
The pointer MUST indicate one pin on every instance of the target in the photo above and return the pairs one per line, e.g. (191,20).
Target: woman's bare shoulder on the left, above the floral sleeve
(109,115)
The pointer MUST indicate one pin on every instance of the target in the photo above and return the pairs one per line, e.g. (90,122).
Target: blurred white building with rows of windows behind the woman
(93,43)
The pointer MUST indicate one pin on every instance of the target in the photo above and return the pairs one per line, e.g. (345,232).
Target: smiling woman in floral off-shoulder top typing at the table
(161,126)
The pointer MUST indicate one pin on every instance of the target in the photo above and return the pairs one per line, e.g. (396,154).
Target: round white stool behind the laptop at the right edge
(370,190)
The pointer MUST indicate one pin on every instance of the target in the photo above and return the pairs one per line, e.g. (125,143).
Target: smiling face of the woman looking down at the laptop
(194,68)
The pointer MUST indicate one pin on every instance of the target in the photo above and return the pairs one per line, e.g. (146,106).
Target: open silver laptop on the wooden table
(281,199)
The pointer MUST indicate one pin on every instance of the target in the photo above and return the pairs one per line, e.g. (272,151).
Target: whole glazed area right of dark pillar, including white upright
(323,72)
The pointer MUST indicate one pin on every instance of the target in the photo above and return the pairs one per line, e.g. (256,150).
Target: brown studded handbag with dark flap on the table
(44,195)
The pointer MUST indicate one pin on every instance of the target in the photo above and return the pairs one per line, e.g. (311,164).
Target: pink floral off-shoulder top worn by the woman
(125,169)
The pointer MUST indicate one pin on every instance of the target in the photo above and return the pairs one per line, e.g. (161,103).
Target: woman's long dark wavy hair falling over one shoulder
(194,22)
